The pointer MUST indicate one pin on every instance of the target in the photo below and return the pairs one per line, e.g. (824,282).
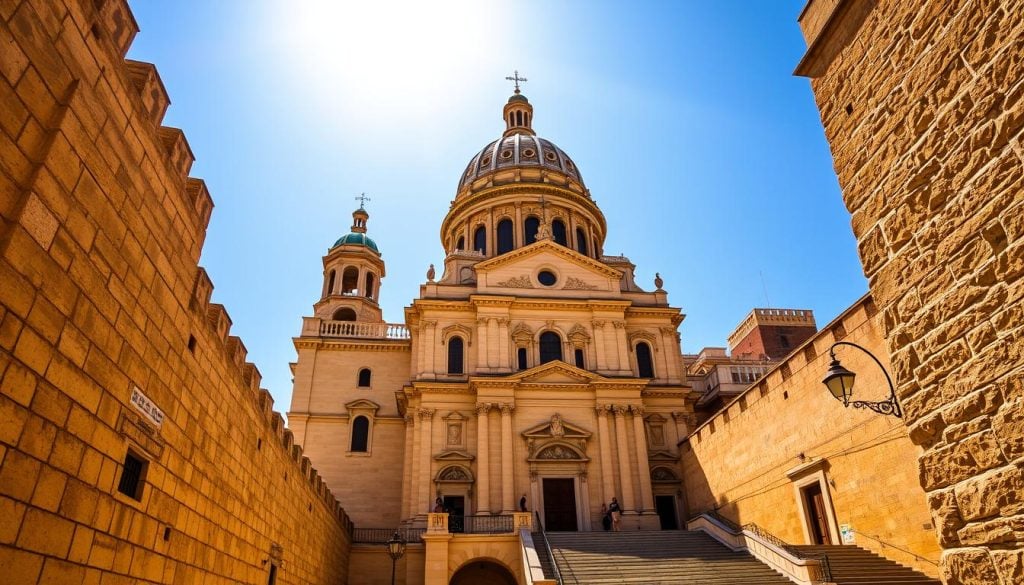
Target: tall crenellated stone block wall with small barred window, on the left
(101,292)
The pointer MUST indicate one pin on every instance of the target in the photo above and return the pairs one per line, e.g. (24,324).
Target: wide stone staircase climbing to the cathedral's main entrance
(681,558)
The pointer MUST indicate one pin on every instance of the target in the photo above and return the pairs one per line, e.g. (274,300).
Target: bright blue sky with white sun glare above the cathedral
(705,154)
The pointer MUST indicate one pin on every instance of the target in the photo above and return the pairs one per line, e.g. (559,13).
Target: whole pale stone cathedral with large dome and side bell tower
(533,373)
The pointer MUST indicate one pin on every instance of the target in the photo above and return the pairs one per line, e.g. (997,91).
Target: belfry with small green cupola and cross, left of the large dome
(353,273)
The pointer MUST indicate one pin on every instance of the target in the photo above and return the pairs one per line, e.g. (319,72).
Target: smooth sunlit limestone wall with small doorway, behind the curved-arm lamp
(752,459)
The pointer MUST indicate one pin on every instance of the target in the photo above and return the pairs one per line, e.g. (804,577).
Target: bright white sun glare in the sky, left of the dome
(366,58)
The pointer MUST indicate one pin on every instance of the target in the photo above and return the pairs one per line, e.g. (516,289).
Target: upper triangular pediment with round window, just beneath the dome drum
(574,272)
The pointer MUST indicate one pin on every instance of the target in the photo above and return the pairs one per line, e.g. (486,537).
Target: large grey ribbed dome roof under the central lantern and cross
(524,151)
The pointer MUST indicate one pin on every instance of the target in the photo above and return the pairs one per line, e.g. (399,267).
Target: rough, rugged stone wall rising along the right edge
(922,105)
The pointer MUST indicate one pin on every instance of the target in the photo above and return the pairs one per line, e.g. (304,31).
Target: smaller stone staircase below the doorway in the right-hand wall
(855,566)
